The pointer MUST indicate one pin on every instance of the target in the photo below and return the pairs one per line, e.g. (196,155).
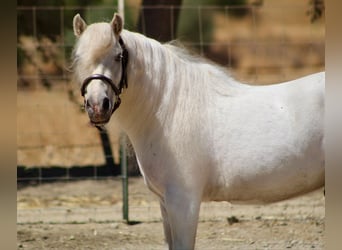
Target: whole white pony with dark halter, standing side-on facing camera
(198,134)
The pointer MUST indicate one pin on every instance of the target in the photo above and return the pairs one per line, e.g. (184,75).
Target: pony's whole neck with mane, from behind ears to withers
(166,85)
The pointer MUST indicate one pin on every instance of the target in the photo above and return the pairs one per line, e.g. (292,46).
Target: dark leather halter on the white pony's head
(123,81)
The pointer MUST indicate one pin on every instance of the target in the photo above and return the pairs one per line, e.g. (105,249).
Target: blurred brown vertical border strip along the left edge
(8,125)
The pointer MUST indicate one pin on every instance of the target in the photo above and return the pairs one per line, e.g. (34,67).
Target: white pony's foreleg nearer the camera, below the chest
(182,208)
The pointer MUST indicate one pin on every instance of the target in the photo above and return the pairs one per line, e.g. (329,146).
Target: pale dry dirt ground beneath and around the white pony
(87,215)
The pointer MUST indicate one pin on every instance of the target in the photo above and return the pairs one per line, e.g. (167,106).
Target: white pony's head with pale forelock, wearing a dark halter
(100,61)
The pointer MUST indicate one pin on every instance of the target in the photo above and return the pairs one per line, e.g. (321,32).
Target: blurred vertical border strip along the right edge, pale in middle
(333,120)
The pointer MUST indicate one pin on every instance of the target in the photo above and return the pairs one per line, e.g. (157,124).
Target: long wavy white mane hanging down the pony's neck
(176,76)
